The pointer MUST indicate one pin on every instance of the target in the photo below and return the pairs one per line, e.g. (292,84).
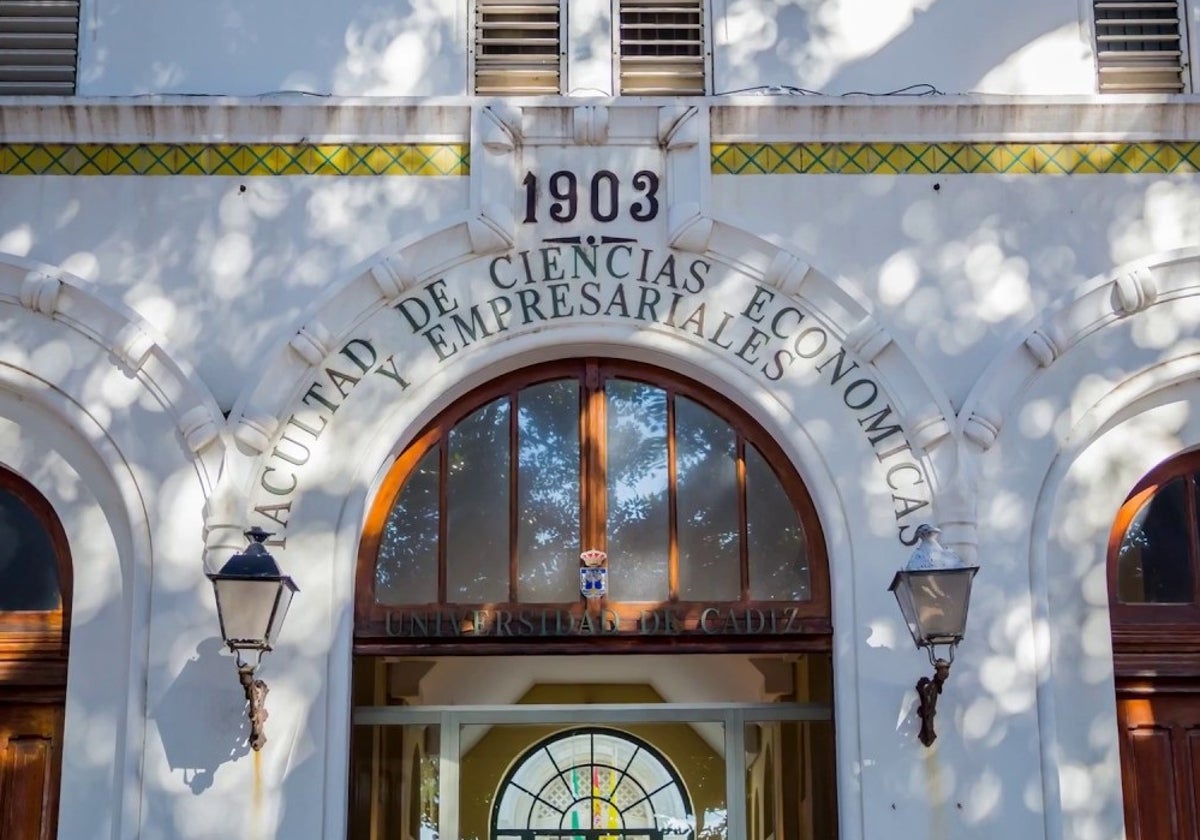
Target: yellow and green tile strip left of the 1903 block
(233,159)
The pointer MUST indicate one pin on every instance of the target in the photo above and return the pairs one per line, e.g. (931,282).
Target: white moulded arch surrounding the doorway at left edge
(89,397)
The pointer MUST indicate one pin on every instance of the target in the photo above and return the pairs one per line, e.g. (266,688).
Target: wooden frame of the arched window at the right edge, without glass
(1160,640)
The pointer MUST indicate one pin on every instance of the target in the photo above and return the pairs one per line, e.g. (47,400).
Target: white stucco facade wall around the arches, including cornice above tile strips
(155,304)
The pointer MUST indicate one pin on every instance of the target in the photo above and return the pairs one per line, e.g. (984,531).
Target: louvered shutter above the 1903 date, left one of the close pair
(518,47)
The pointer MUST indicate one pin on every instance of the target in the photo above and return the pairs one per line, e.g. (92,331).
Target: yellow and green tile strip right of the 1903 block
(956,159)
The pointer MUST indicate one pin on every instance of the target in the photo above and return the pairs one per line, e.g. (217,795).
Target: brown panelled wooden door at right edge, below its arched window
(1161,764)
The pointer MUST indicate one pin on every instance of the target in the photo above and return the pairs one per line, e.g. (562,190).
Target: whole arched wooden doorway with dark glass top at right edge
(1155,602)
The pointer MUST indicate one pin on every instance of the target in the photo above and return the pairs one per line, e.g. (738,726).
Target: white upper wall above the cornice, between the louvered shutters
(422,47)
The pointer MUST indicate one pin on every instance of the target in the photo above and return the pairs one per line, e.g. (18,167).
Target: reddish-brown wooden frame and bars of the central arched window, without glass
(813,616)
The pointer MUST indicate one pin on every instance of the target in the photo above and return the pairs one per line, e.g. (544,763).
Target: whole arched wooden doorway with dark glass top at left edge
(35,601)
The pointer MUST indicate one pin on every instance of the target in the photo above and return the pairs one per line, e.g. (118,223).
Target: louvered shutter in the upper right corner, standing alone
(1139,46)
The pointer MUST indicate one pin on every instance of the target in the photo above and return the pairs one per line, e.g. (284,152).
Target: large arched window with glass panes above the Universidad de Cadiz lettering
(497,499)
